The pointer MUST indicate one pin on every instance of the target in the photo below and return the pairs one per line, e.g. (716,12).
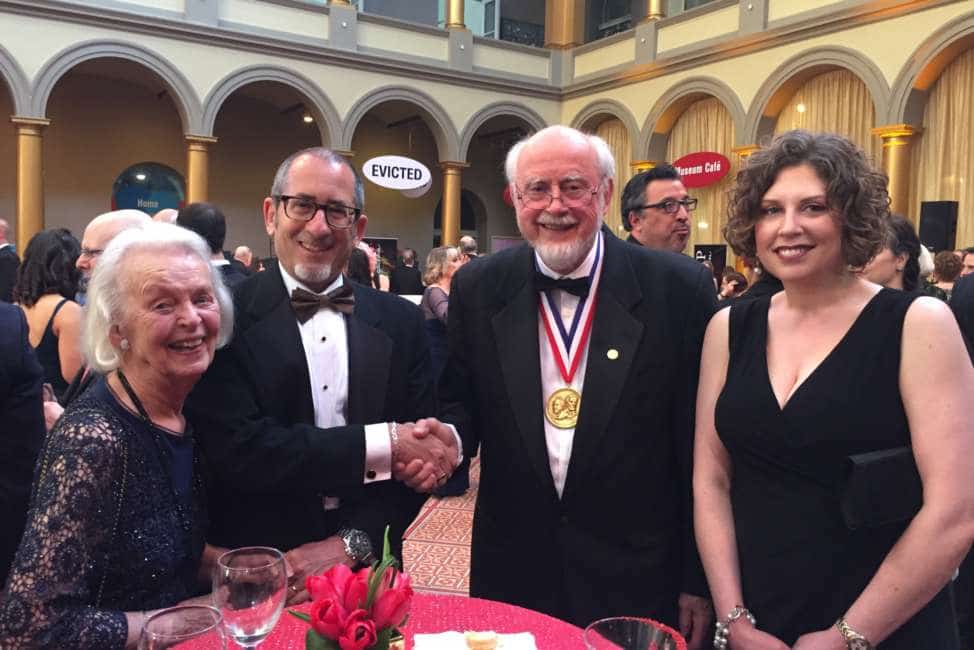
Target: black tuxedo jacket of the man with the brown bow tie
(253,414)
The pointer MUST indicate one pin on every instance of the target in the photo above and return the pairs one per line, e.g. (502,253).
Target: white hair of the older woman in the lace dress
(107,293)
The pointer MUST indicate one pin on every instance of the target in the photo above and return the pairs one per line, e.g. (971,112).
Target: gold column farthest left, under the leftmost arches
(30,177)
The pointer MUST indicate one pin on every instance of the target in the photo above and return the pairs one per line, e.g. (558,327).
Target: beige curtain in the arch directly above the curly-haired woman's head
(835,102)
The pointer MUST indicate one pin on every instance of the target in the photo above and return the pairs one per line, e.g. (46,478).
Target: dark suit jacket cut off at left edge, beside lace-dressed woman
(22,420)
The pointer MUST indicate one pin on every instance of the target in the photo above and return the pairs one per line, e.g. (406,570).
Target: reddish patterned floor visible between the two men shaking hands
(436,548)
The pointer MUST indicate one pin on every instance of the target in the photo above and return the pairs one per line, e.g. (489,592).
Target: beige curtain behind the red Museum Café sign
(706,126)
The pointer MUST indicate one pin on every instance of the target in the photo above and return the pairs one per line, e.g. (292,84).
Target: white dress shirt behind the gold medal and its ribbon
(559,441)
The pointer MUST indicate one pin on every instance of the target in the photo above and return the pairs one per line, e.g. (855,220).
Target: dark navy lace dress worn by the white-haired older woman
(116,524)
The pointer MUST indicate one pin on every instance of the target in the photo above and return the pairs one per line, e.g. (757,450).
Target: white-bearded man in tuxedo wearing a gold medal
(584,503)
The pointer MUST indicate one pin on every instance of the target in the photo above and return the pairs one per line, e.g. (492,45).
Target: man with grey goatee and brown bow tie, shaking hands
(301,416)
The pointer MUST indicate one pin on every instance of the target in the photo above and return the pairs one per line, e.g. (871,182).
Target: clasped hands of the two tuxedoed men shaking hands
(426,454)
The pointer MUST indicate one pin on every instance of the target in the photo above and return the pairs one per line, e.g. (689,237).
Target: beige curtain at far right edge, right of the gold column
(944,158)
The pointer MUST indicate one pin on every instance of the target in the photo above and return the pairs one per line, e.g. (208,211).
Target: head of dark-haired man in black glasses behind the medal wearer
(656,209)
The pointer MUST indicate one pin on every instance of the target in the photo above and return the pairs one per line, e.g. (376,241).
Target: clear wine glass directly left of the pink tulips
(249,587)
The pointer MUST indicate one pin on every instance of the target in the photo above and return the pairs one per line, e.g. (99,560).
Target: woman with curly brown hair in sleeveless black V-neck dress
(798,387)
